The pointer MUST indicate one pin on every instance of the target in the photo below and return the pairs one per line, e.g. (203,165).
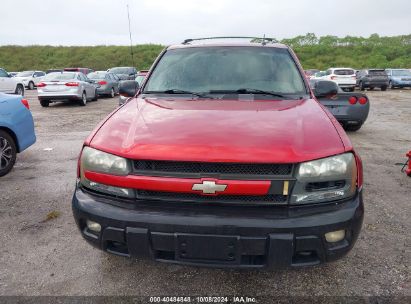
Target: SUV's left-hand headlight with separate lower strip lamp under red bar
(102,162)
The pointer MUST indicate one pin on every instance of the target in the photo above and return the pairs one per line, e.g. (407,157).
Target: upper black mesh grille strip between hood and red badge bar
(200,169)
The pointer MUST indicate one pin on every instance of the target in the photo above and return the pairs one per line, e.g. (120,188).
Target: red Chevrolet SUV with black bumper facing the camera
(223,158)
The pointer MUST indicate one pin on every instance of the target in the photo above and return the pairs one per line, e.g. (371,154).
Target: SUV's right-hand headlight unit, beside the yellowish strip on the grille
(326,179)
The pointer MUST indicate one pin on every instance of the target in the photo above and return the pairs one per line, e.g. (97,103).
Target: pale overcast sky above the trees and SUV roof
(104,22)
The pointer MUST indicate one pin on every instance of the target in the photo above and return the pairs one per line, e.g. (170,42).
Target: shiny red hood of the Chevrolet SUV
(281,131)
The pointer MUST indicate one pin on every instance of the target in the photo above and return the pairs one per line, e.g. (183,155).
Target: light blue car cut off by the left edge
(16,130)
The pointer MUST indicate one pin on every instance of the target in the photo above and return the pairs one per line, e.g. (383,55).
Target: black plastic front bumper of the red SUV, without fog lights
(219,236)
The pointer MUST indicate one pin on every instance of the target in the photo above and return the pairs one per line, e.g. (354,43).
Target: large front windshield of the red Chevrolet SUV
(208,69)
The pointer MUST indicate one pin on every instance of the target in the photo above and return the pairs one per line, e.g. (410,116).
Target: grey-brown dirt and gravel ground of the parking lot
(49,257)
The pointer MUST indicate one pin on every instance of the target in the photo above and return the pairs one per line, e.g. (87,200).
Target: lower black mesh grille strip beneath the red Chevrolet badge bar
(270,199)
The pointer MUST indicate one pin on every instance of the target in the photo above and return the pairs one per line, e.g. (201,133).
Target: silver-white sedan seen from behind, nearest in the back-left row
(72,86)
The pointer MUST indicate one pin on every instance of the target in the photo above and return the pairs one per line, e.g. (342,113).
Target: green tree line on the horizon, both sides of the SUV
(314,53)
